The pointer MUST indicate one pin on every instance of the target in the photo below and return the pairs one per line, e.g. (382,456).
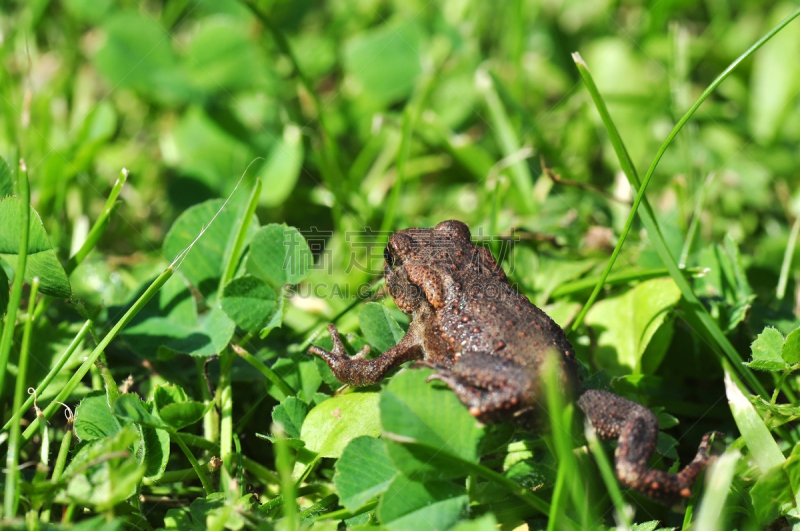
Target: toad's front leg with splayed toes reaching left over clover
(358,370)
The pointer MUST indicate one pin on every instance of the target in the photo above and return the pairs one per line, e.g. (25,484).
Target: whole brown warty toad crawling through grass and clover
(487,342)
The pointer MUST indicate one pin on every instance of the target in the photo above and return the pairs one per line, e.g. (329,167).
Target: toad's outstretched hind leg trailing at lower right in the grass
(636,429)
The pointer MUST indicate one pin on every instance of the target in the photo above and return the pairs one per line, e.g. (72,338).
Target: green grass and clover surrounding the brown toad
(325,126)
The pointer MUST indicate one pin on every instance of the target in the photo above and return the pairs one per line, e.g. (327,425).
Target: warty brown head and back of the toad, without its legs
(477,311)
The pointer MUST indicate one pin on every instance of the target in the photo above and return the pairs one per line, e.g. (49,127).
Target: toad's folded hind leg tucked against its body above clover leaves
(493,388)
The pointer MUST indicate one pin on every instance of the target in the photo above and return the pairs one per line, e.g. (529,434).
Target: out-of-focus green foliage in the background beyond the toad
(187,94)
